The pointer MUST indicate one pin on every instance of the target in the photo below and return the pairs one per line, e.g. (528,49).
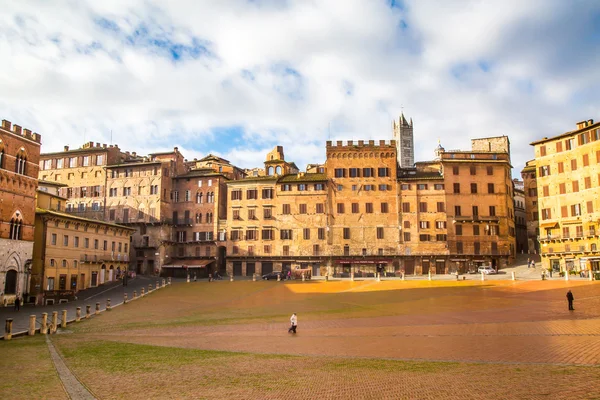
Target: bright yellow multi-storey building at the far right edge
(568,189)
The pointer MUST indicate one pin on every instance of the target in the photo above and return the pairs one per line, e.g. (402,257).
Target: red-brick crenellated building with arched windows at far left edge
(19,164)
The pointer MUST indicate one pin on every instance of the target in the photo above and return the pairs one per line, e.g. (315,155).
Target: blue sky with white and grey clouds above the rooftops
(237,77)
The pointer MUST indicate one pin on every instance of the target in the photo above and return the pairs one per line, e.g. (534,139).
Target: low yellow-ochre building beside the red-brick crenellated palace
(72,253)
